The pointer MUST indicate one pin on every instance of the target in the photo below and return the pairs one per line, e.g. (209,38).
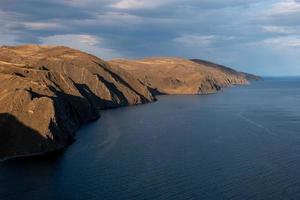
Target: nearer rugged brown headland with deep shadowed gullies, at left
(46,93)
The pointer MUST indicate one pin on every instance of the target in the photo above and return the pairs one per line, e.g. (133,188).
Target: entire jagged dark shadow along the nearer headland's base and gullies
(18,140)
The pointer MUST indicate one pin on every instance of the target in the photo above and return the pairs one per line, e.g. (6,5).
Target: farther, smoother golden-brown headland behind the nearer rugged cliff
(180,76)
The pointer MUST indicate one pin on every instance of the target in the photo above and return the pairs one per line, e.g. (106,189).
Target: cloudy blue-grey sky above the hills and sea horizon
(256,36)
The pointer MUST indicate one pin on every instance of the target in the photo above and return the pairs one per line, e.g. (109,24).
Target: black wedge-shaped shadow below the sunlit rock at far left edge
(17,139)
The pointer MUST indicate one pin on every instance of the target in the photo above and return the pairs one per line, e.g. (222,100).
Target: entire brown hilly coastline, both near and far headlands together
(47,92)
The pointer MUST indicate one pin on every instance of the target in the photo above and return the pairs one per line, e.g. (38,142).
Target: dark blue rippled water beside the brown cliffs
(242,143)
